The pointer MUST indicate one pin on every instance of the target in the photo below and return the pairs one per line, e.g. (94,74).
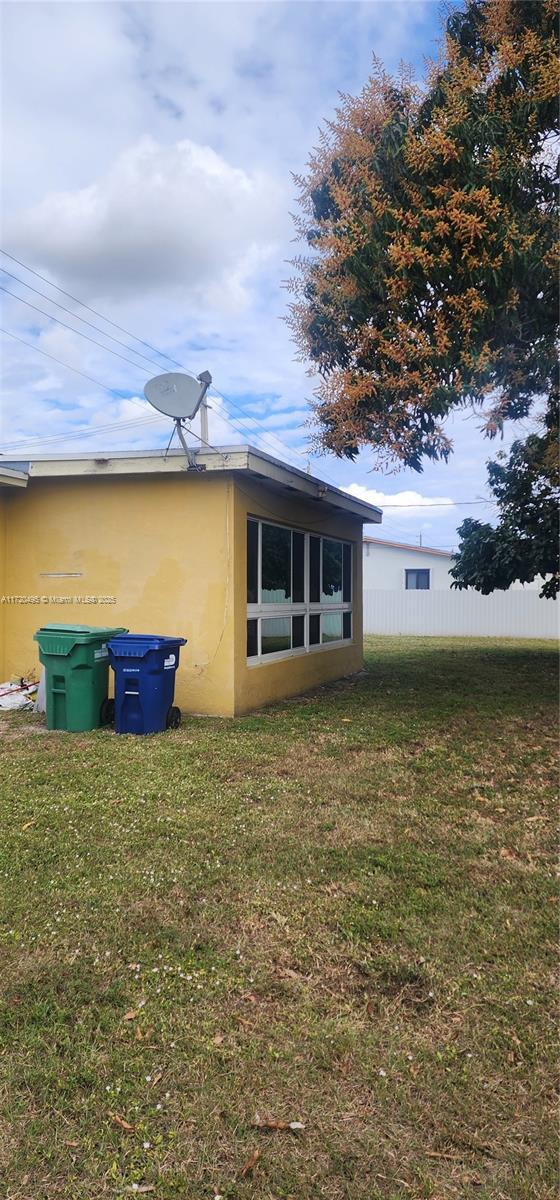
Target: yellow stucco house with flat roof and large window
(256,563)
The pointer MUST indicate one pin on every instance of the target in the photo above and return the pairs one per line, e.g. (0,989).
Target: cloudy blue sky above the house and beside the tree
(149,153)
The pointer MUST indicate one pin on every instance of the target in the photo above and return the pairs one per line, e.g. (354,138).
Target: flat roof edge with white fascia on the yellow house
(245,459)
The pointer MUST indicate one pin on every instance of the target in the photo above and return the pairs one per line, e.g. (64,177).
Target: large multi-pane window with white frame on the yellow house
(299,591)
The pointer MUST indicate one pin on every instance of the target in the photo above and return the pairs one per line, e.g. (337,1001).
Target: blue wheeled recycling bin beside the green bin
(144,668)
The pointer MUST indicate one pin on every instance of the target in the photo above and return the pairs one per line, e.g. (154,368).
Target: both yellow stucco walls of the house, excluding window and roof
(173,551)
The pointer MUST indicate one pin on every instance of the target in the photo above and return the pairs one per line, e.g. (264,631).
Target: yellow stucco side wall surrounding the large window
(267,682)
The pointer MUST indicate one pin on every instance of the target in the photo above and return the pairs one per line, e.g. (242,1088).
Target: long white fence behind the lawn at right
(461,614)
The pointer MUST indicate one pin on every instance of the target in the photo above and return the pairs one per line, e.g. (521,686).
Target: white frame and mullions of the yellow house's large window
(305,608)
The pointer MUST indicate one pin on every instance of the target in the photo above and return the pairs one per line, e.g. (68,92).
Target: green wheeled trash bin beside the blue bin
(77,675)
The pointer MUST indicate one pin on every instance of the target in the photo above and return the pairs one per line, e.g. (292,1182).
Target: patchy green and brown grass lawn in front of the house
(338,913)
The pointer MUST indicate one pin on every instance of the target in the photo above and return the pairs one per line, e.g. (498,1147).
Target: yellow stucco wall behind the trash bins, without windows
(159,544)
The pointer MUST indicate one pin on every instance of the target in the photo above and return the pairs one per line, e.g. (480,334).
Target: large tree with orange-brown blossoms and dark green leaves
(431,217)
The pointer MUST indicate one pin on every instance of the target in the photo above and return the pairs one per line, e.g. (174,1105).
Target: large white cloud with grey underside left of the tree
(164,218)
